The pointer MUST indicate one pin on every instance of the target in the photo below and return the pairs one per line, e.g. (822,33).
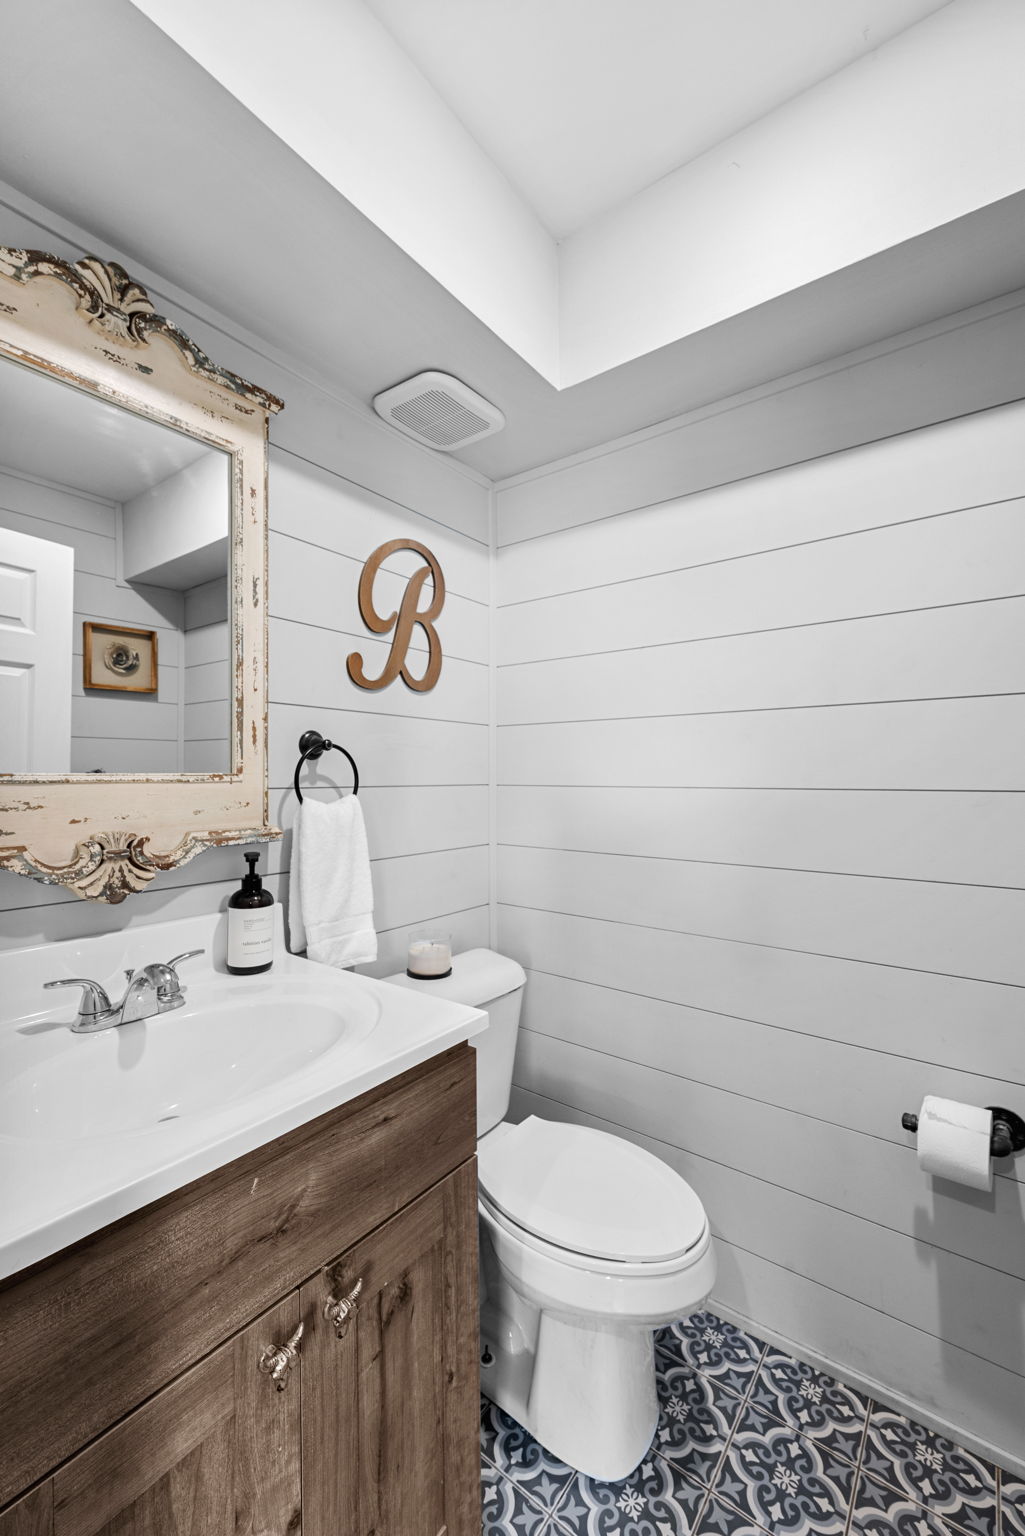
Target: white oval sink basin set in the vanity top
(230,1044)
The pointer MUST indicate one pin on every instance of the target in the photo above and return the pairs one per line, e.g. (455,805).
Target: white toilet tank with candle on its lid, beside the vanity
(493,982)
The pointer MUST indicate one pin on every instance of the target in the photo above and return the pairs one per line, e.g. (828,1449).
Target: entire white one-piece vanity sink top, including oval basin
(95,1127)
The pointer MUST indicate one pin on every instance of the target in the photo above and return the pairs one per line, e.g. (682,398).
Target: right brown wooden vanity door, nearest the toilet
(391,1409)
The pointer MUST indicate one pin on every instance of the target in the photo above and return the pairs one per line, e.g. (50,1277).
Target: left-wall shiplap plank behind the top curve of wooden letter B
(327,511)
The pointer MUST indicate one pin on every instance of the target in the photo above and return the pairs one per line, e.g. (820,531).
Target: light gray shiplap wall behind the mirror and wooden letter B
(340,485)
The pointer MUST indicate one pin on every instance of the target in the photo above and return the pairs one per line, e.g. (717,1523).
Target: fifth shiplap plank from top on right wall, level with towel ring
(947,744)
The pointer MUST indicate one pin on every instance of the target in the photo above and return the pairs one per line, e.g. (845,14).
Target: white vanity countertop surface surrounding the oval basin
(59,1190)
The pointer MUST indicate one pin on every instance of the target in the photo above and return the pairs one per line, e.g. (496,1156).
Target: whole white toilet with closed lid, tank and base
(588,1245)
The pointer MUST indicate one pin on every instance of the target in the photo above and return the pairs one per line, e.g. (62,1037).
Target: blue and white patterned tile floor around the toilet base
(752,1443)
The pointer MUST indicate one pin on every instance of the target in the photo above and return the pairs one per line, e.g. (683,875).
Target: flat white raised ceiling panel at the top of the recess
(583,105)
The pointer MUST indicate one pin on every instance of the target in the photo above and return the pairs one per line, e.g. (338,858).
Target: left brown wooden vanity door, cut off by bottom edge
(214,1454)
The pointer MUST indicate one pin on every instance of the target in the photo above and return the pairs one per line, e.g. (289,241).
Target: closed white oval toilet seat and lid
(592,1199)
